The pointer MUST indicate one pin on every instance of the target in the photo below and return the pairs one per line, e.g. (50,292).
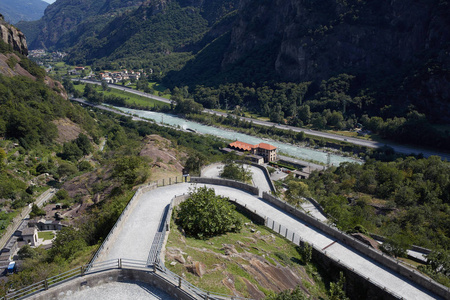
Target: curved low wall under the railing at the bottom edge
(116,275)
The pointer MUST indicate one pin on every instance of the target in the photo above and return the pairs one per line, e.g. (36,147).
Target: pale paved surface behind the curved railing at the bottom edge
(119,291)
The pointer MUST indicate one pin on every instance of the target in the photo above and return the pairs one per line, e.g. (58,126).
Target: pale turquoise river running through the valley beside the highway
(287,149)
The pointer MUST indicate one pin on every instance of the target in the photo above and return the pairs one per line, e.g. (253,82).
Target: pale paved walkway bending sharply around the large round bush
(135,235)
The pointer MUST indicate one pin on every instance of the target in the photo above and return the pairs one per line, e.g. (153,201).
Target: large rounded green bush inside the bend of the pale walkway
(205,214)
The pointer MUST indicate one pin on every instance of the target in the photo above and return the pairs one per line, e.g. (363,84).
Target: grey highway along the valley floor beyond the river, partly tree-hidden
(370,144)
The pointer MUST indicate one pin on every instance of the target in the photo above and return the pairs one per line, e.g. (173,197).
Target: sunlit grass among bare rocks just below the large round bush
(254,239)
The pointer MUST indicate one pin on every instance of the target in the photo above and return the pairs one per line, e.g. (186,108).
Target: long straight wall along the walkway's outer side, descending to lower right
(378,256)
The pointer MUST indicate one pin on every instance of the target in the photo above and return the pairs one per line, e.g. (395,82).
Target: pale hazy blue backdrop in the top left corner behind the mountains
(22,10)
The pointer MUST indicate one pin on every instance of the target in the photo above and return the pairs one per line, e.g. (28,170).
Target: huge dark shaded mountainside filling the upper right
(397,50)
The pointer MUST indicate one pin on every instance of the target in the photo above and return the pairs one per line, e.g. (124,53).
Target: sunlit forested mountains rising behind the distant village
(158,34)
